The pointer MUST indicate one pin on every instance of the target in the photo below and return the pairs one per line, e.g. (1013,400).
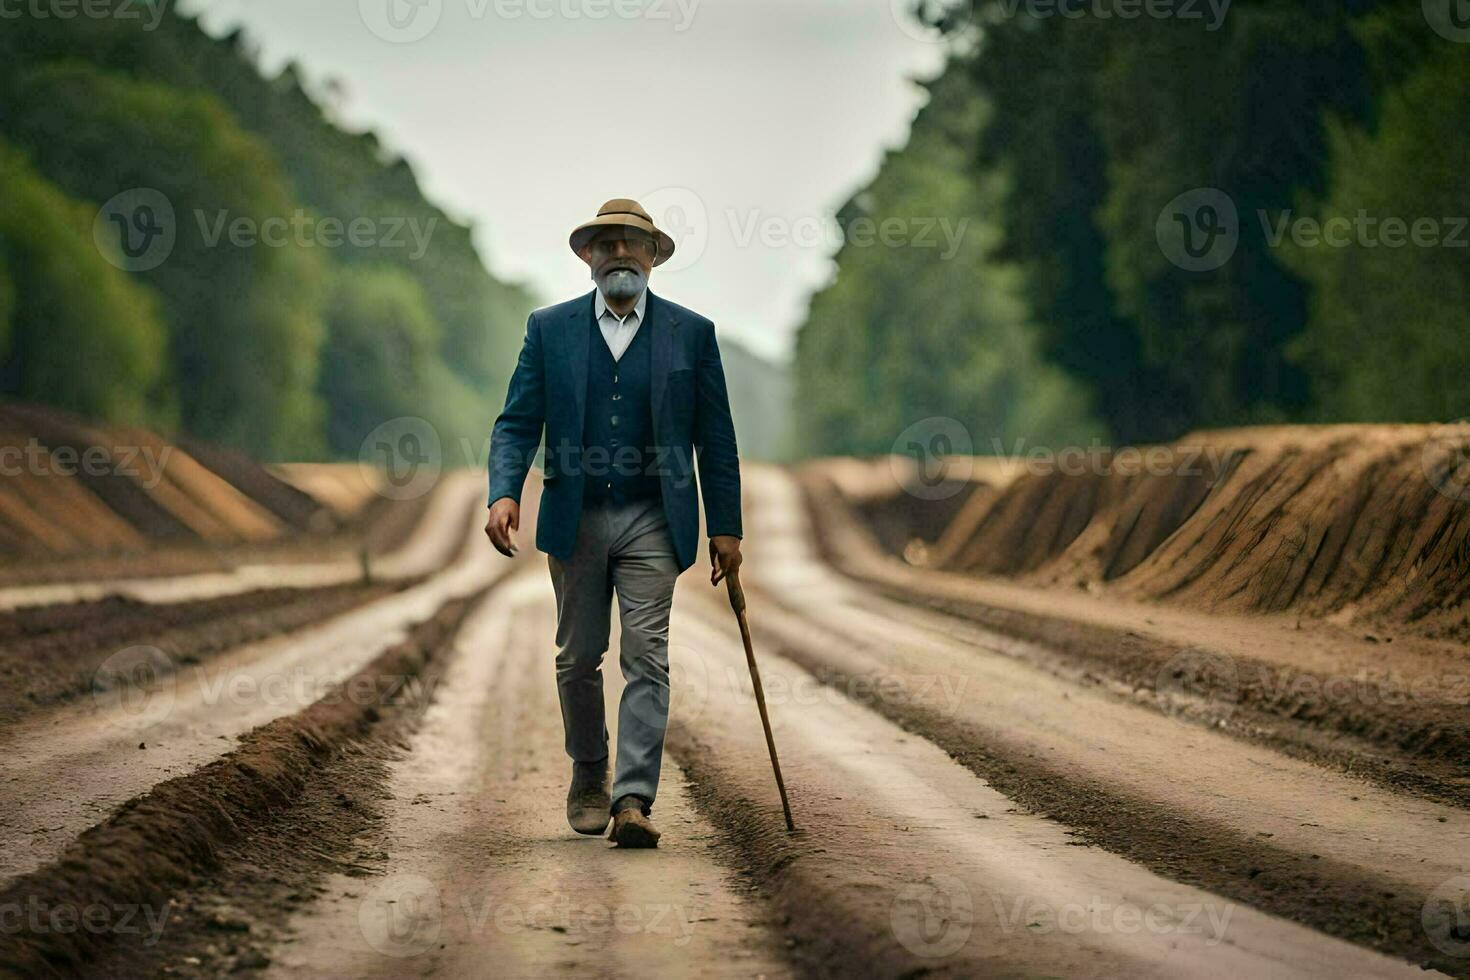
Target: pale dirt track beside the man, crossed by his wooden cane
(908,865)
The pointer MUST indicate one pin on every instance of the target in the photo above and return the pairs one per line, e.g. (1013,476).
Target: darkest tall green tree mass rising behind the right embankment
(1103,123)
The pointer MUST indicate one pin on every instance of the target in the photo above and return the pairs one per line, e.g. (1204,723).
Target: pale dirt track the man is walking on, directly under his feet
(481,866)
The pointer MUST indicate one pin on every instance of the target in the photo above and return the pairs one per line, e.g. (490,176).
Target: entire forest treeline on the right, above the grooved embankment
(1169,223)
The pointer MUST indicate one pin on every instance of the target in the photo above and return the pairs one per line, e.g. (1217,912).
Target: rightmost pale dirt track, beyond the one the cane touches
(1197,806)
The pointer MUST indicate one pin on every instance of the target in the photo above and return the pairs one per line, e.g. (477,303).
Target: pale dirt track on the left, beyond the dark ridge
(120,746)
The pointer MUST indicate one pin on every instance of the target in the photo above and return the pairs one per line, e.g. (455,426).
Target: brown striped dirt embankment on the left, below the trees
(93,502)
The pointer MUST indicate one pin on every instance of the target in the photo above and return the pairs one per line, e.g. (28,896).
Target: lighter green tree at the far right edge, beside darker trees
(1390,323)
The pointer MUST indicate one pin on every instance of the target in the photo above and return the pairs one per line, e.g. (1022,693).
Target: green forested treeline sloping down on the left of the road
(308,290)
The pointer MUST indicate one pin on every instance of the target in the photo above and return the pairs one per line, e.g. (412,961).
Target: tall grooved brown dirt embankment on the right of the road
(1360,524)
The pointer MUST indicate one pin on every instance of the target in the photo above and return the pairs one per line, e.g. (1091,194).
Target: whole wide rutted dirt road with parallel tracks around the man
(962,810)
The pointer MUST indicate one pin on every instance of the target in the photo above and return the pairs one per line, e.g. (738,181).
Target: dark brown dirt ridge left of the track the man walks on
(159,843)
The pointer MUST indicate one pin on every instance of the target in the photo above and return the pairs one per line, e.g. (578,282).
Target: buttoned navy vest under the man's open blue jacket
(618,447)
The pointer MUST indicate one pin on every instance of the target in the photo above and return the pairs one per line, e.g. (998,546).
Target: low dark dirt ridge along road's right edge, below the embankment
(1406,737)
